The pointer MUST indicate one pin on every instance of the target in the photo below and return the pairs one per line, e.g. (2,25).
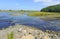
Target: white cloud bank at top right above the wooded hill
(48,2)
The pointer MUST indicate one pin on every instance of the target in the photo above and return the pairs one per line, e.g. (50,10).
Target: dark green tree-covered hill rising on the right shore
(54,8)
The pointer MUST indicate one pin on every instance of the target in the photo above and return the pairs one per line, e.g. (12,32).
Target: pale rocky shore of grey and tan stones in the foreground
(25,32)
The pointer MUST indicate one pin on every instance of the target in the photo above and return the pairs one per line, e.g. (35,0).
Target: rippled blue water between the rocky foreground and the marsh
(7,20)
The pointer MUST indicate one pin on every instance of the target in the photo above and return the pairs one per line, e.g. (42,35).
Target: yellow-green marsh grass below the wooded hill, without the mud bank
(44,14)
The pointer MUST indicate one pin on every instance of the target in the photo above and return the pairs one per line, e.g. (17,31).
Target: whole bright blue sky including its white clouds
(26,4)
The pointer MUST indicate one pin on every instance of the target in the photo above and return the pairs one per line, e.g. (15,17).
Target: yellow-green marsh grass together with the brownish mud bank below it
(46,15)
